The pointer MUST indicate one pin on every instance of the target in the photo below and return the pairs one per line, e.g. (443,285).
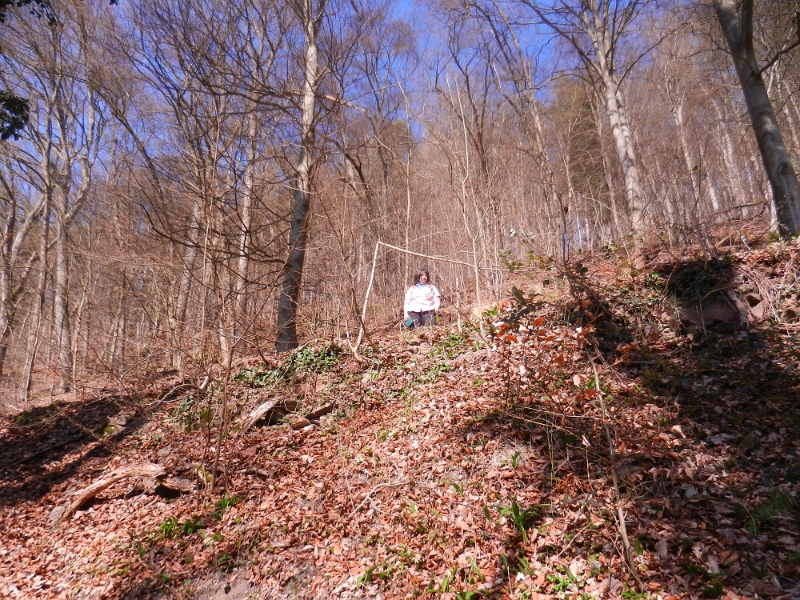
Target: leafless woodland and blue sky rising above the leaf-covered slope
(183,181)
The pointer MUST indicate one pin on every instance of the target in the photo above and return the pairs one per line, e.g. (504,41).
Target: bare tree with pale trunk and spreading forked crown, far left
(66,130)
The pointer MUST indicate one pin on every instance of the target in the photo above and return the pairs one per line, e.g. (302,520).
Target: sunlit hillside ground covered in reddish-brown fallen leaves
(632,432)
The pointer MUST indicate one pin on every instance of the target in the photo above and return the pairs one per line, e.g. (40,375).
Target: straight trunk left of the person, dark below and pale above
(286,338)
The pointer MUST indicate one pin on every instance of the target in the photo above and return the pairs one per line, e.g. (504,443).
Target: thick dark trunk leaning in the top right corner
(737,26)
